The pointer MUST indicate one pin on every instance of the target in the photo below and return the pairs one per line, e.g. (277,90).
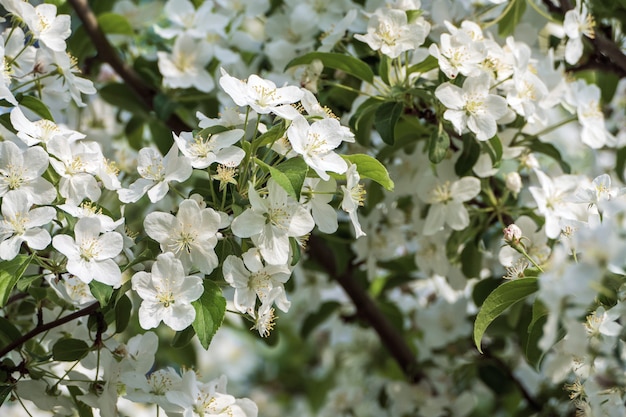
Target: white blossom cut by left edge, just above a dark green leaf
(21,224)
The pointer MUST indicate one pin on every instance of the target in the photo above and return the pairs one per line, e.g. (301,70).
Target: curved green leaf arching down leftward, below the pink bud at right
(499,300)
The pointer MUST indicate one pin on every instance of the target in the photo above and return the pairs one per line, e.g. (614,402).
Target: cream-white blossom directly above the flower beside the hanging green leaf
(191,235)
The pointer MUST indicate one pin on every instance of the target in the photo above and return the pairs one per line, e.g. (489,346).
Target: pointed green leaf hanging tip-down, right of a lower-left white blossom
(210,309)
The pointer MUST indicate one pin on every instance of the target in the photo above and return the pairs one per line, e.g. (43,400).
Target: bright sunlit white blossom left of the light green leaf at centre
(316,143)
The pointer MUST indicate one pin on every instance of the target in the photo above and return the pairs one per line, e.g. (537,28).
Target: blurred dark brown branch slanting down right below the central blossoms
(367,309)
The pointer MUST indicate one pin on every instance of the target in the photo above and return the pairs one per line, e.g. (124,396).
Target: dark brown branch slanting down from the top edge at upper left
(107,53)
